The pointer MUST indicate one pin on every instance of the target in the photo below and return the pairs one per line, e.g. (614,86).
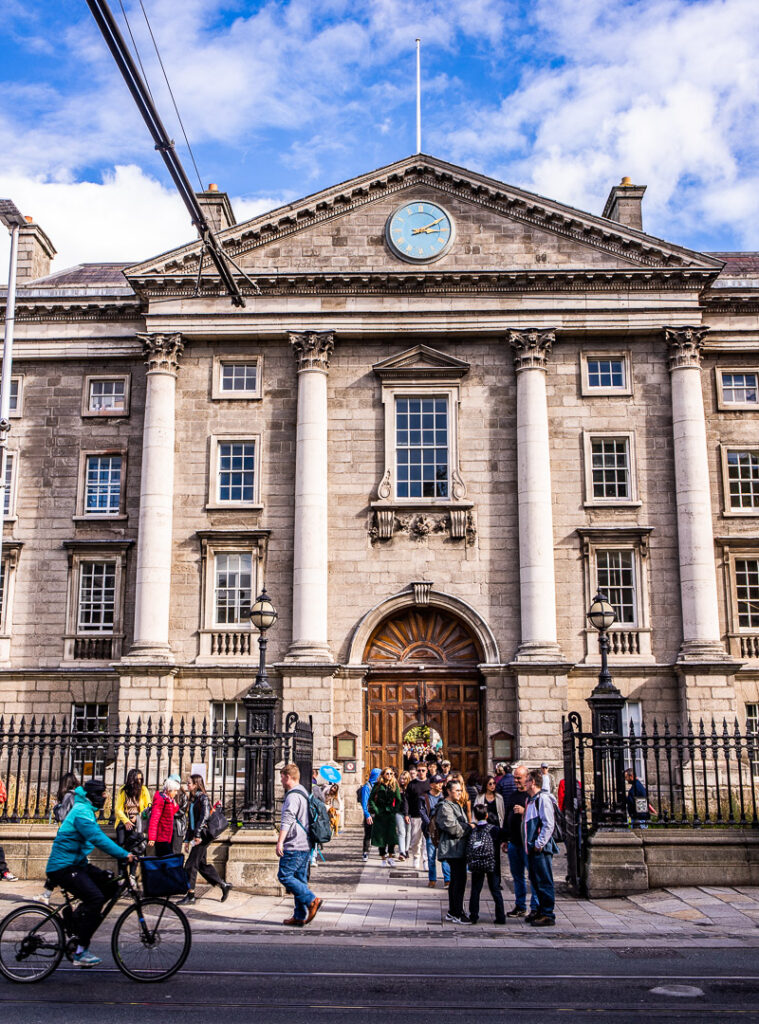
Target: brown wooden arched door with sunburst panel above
(424,671)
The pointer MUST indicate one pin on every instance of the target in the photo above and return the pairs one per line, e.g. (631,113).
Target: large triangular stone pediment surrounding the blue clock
(499,230)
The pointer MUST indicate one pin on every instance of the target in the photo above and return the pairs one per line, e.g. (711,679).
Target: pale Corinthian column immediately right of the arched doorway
(537,583)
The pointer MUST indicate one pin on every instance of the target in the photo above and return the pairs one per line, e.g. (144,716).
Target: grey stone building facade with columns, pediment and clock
(448,413)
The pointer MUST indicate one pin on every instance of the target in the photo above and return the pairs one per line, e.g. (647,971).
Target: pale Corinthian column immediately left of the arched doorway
(313,352)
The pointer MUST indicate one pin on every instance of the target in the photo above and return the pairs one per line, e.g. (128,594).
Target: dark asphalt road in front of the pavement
(317,982)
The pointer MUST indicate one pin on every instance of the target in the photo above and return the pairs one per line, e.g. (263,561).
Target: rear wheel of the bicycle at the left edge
(31,944)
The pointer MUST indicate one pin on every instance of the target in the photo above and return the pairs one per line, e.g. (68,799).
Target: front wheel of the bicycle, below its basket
(151,941)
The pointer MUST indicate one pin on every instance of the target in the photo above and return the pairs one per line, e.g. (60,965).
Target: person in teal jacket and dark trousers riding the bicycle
(68,866)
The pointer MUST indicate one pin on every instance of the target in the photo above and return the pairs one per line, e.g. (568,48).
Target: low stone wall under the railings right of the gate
(621,864)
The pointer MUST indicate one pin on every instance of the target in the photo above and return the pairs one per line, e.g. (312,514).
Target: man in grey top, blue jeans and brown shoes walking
(294,848)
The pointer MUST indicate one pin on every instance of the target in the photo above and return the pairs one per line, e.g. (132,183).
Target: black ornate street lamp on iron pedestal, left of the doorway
(261,739)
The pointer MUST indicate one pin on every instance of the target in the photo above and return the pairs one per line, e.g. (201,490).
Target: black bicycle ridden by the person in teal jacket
(151,941)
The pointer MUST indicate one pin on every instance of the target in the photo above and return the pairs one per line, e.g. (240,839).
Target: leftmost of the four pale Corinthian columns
(156,501)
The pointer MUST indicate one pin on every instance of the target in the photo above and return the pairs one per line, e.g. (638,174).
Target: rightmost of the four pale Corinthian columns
(701,636)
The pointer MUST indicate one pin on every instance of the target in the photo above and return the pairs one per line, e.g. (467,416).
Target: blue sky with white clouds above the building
(283,99)
